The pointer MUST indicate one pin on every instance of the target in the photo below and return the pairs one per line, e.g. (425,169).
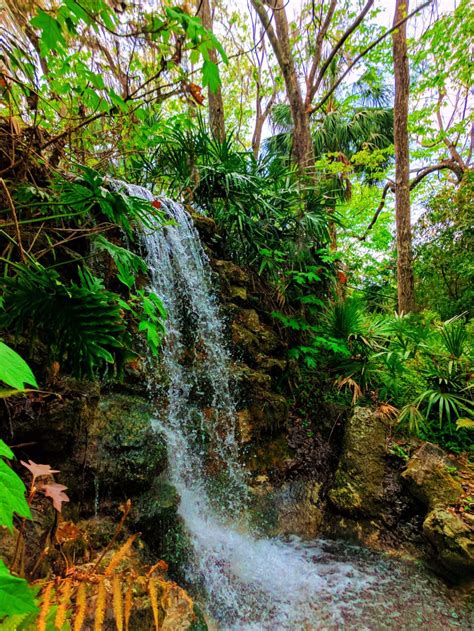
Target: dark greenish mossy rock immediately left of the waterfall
(130,452)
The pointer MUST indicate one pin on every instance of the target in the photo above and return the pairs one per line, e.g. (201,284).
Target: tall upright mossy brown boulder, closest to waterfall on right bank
(358,487)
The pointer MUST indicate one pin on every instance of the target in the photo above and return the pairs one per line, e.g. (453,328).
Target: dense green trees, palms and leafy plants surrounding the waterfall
(282,123)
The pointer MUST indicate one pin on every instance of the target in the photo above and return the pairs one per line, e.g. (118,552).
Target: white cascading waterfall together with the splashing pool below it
(254,583)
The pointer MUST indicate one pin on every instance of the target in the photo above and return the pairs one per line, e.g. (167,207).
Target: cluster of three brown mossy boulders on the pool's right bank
(366,492)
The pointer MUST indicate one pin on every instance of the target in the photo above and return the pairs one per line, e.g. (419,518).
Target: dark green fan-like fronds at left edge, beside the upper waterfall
(81,322)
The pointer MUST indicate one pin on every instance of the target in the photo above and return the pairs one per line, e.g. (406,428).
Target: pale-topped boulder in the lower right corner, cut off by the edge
(453,538)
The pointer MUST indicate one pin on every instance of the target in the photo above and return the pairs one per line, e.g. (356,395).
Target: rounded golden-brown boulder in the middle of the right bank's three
(429,477)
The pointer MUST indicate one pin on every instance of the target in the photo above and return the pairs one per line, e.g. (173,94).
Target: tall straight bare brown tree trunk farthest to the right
(406,292)
